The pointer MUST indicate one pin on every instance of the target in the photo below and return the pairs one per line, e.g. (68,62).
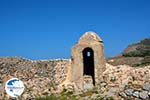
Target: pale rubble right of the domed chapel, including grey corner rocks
(128,82)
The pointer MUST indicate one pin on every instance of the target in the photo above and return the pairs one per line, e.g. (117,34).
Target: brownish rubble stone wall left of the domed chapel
(39,77)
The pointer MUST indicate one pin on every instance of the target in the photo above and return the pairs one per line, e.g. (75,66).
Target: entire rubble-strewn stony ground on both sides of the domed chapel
(43,78)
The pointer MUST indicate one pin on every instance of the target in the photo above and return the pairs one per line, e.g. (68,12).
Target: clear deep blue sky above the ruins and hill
(45,29)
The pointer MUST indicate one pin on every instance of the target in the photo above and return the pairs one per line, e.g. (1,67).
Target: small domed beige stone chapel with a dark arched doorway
(87,60)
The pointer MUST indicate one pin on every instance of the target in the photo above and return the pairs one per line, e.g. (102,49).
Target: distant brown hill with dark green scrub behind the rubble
(136,54)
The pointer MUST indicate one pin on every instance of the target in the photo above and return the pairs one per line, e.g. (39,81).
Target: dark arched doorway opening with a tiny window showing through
(88,63)
